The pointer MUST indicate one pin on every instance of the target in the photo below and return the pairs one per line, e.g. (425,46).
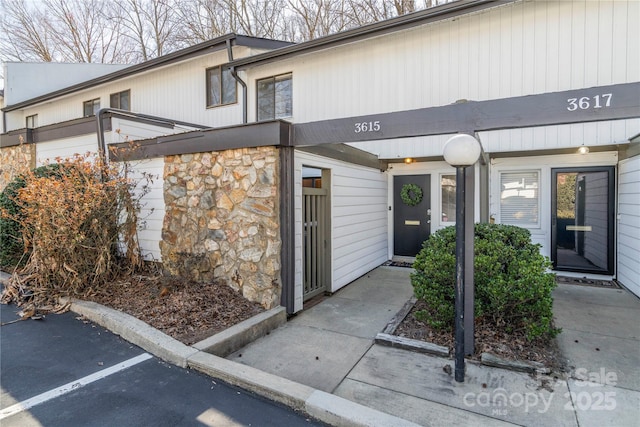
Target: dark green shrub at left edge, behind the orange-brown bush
(13,251)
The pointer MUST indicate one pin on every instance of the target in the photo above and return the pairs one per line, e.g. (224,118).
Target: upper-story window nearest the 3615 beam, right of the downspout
(275,97)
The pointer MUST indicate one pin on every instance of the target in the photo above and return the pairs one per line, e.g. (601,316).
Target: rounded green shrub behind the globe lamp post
(513,284)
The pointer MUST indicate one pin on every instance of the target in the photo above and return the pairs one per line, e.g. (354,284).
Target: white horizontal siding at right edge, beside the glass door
(629,224)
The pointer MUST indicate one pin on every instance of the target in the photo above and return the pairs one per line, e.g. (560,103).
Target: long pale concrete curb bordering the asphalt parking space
(322,406)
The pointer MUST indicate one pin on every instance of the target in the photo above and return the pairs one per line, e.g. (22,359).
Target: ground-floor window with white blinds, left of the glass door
(520,198)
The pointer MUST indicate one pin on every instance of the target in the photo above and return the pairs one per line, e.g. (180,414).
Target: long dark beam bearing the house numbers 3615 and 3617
(615,102)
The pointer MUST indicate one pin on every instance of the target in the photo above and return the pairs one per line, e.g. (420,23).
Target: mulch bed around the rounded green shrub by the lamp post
(487,339)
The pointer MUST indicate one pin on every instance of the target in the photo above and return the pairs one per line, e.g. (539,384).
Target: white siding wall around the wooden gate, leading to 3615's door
(359,220)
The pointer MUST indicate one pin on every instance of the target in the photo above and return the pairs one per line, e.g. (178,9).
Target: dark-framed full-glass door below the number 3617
(582,219)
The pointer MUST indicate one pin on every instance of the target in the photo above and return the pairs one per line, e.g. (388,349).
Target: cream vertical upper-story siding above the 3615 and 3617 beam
(515,49)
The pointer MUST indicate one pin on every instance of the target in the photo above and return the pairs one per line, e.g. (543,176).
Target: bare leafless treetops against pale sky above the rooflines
(138,30)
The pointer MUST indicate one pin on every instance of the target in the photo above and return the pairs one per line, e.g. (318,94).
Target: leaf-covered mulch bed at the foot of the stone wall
(185,310)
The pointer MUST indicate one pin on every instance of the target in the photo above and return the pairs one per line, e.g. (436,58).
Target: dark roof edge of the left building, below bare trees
(213,45)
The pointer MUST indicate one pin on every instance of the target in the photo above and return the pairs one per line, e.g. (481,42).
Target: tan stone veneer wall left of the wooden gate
(222,220)
